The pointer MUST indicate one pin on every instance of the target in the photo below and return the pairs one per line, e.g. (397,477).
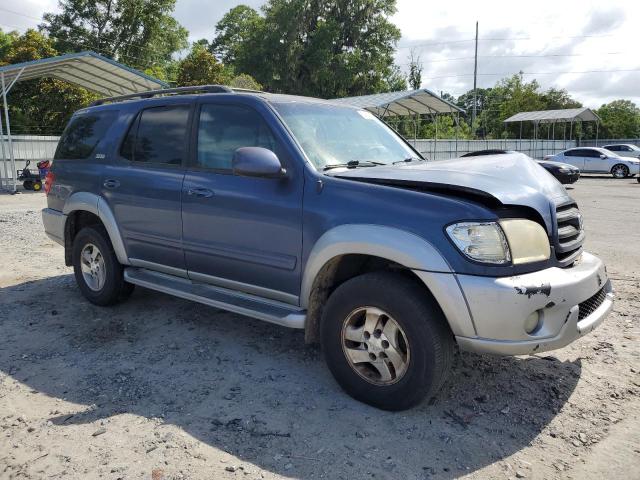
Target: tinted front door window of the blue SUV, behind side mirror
(225,128)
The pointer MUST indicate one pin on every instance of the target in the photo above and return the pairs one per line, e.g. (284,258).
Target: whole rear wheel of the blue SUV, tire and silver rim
(98,273)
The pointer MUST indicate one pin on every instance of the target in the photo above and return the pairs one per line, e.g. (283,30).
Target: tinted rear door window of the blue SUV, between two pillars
(158,135)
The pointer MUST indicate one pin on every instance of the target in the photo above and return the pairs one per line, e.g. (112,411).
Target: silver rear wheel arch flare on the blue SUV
(84,208)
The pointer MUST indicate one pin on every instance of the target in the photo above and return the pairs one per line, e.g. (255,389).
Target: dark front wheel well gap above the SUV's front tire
(337,271)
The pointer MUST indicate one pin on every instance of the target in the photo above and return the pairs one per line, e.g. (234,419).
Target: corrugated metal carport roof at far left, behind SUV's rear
(88,70)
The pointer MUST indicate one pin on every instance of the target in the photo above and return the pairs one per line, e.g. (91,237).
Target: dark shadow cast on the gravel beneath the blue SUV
(256,391)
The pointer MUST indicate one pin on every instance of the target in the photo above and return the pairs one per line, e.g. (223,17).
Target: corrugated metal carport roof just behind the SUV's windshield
(409,102)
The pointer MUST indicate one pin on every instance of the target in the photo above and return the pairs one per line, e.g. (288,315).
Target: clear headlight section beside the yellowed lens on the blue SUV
(483,242)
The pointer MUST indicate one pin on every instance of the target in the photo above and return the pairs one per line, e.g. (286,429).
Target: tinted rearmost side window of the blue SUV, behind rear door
(83,133)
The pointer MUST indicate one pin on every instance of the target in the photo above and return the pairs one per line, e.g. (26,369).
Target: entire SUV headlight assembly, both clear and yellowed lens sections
(513,240)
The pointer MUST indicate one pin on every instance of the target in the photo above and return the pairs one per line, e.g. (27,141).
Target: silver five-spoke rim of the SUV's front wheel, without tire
(375,346)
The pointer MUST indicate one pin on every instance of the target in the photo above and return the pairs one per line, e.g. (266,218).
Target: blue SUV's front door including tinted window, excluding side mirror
(242,233)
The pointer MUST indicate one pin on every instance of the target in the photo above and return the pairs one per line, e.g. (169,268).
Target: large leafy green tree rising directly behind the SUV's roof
(323,48)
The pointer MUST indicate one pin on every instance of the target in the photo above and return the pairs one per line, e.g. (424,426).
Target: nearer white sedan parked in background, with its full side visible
(597,160)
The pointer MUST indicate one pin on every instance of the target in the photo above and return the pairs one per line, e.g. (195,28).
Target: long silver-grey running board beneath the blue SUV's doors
(238,302)
